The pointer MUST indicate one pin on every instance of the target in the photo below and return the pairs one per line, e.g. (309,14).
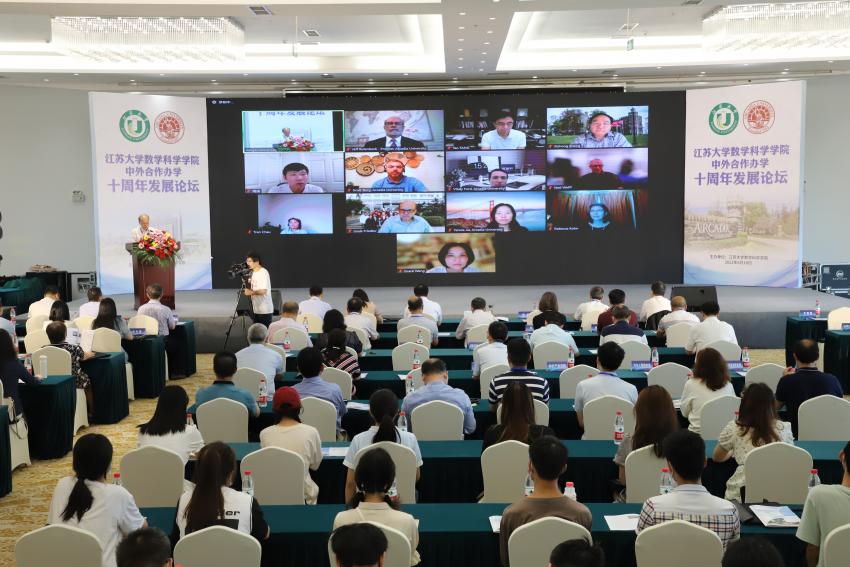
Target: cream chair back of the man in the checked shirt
(677,542)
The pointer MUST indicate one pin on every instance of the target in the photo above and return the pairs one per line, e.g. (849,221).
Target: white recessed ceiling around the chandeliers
(410,45)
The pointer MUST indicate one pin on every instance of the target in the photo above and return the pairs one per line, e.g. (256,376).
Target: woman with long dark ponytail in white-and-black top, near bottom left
(211,502)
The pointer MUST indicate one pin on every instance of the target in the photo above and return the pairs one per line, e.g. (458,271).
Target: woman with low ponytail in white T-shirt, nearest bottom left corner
(87,501)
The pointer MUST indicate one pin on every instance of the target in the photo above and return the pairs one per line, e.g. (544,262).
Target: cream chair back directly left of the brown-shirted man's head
(504,467)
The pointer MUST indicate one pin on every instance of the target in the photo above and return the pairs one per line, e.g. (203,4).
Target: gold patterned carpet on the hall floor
(25,509)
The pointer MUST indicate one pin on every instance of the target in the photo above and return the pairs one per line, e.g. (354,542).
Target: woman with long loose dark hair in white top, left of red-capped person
(168,428)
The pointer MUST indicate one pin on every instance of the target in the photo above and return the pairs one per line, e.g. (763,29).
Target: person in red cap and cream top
(291,434)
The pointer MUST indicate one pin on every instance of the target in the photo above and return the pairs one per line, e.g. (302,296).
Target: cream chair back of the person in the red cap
(278,475)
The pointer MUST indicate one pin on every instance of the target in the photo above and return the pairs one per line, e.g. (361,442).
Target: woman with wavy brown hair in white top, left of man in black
(710,380)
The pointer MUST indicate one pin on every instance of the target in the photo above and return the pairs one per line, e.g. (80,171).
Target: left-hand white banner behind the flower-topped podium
(150,156)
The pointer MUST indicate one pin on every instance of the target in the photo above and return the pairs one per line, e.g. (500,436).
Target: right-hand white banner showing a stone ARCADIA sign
(743,176)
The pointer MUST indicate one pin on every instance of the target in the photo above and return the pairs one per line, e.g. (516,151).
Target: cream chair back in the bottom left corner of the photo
(58,544)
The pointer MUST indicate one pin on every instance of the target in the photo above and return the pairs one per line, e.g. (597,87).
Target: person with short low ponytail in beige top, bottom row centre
(374,476)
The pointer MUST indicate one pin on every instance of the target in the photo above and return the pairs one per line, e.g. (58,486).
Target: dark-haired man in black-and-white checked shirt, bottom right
(690,501)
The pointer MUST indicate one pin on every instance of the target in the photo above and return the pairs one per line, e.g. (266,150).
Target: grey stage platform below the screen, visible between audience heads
(758,314)
